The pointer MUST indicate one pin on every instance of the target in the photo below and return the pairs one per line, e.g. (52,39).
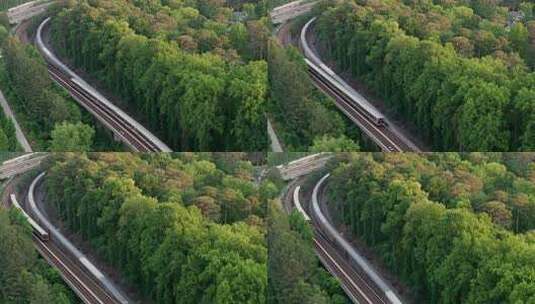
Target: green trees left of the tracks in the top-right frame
(304,118)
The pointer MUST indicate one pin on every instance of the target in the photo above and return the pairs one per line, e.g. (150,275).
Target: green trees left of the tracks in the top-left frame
(50,118)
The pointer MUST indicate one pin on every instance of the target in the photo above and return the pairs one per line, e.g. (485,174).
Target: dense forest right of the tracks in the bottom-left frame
(183,228)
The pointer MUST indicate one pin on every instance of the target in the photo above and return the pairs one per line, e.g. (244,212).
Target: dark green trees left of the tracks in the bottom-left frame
(25,278)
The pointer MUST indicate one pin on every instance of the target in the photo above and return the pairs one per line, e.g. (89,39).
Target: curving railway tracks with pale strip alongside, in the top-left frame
(123,126)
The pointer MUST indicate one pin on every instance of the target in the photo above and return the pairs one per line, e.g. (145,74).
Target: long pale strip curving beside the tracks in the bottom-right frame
(330,233)
